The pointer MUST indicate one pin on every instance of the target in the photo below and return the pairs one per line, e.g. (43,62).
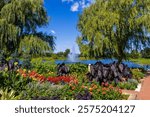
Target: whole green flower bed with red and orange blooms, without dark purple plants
(41,83)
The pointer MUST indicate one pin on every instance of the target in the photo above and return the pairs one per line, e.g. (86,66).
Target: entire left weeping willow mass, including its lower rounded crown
(19,20)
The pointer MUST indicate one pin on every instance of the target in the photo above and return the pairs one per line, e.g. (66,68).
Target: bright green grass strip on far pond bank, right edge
(143,61)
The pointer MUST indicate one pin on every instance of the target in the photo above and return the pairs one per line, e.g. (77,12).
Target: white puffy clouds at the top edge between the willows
(79,4)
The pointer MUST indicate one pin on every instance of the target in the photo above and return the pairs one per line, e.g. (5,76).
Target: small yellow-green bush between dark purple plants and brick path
(137,74)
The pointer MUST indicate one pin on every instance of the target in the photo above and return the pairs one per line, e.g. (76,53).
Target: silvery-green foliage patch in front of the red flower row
(35,90)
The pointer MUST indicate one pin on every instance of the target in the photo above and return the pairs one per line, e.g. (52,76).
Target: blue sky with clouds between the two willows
(63,21)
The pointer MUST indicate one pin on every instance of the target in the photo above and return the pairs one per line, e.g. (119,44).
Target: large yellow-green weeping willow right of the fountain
(113,27)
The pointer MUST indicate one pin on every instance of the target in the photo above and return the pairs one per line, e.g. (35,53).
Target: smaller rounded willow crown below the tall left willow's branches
(37,44)
